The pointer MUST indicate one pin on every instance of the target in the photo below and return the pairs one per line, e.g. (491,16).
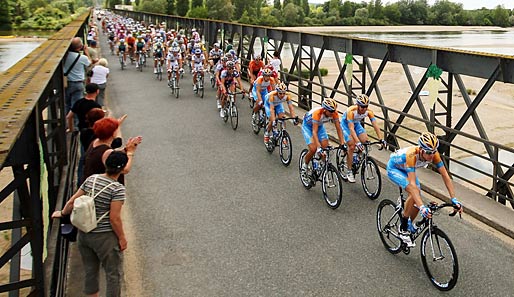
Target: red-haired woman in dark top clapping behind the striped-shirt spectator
(106,130)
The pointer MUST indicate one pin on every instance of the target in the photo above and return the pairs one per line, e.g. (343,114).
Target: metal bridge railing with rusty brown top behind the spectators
(34,145)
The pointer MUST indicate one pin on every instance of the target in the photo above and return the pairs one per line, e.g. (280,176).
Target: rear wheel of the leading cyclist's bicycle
(388,224)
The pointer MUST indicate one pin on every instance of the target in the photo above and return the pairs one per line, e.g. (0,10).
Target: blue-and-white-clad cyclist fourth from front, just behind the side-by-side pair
(273,106)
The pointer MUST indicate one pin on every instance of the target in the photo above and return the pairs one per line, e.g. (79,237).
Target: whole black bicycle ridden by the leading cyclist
(435,244)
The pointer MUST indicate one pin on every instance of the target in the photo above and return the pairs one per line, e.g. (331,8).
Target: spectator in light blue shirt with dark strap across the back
(75,65)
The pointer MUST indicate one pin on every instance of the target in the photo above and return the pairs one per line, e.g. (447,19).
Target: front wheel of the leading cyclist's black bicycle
(442,266)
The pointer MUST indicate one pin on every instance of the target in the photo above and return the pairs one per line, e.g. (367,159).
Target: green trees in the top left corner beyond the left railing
(39,14)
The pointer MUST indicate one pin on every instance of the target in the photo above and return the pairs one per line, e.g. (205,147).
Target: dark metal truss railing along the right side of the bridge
(401,123)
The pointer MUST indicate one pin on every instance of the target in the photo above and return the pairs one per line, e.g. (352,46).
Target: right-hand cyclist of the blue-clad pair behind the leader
(354,133)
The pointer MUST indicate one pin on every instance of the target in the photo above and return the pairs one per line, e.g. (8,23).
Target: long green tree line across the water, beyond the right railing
(330,13)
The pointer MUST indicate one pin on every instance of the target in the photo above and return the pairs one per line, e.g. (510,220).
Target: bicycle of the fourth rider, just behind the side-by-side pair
(281,138)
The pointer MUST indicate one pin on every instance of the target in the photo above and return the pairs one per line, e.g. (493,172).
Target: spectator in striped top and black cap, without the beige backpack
(105,244)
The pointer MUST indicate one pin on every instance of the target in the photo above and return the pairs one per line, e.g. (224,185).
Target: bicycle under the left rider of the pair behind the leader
(324,171)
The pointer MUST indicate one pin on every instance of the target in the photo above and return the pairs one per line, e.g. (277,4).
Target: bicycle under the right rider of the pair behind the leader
(371,179)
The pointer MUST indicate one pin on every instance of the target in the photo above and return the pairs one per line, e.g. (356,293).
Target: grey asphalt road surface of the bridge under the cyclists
(212,213)
